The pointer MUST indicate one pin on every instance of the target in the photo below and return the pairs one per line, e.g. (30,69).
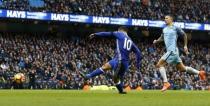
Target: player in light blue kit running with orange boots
(169,36)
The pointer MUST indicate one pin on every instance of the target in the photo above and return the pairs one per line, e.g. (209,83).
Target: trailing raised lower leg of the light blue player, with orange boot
(201,73)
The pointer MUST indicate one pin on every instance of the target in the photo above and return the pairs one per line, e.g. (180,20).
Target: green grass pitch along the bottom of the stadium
(102,98)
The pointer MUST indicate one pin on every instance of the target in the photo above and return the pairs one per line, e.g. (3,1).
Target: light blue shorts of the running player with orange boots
(171,57)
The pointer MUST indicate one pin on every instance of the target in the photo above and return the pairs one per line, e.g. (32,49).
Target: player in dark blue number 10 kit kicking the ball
(120,61)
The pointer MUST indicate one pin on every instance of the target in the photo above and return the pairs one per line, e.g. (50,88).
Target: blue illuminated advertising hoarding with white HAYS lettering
(97,19)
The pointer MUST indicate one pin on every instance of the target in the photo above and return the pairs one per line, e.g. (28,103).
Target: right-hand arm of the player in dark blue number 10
(138,55)
